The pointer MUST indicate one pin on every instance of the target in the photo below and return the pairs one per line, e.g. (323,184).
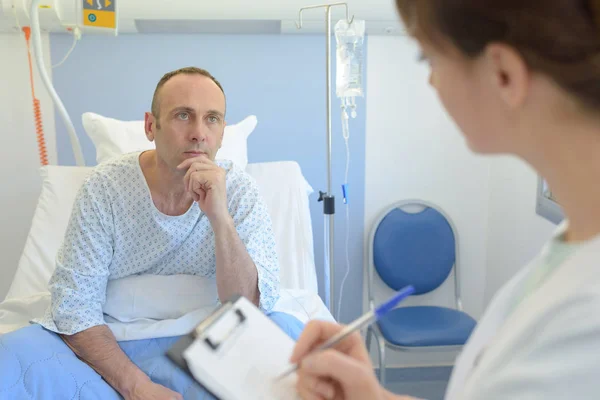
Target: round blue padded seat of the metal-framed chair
(426,326)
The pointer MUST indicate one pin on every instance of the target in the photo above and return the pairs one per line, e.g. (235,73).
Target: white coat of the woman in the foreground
(548,347)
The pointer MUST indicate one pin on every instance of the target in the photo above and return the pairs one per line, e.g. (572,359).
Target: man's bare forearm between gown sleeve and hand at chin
(236,272)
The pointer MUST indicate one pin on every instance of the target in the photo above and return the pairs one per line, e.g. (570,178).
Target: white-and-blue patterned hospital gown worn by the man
(116,231)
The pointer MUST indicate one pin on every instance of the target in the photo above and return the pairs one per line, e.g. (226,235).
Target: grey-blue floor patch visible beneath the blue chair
(423,383)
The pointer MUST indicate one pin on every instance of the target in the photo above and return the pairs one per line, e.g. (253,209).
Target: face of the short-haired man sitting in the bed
(191,119)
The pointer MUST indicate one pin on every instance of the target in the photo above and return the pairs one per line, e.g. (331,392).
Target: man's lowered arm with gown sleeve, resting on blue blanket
(78,288)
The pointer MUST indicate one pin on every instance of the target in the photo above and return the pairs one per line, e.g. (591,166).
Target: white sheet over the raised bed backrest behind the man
(282,185)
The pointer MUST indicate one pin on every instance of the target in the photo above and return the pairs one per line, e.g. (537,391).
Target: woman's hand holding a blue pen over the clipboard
(345,372)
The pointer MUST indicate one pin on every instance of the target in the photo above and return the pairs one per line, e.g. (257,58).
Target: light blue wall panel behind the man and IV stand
(280,79)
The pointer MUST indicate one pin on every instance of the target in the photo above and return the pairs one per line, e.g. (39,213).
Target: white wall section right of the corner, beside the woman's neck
(516,232)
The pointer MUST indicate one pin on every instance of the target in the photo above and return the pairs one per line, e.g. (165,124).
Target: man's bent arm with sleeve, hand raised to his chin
(244,241)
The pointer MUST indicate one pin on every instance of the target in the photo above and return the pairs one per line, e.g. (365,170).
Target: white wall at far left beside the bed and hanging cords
(19,158)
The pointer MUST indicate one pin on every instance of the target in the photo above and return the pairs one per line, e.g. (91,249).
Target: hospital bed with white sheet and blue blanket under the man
(286,193)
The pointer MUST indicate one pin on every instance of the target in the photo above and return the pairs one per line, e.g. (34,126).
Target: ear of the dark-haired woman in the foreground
(509,73)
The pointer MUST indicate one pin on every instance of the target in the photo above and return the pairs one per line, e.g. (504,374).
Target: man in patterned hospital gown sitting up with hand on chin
(172,210)
